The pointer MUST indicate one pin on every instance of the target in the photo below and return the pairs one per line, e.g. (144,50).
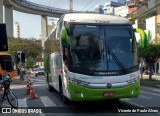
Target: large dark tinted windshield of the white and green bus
(102,47)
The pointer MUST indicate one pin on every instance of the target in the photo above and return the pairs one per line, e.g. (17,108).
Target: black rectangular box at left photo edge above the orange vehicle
(3,38)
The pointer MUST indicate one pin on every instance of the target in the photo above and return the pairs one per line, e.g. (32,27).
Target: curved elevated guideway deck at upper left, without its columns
(34,8)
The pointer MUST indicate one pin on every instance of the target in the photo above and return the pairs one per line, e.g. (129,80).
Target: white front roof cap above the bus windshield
(95,18)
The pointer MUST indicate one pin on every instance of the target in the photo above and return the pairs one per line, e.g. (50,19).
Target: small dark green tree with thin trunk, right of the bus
(151,53)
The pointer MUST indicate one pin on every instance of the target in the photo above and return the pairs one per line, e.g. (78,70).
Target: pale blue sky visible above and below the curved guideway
(30,25)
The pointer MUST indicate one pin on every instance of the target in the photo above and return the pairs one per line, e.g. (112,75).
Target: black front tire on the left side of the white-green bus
(64,99)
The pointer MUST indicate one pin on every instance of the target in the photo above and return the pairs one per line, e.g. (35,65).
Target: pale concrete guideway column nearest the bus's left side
(44,30)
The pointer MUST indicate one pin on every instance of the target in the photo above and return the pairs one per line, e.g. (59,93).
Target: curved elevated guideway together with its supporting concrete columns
(31,8)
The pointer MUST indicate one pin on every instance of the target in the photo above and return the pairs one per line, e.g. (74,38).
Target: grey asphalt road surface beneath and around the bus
(50,103)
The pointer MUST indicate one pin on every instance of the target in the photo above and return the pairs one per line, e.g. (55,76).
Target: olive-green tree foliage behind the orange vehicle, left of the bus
(31,47)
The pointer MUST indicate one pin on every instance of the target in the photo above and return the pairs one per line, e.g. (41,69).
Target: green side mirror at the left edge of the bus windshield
(64,37)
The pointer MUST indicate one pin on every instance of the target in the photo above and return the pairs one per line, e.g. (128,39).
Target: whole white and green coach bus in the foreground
(91,57)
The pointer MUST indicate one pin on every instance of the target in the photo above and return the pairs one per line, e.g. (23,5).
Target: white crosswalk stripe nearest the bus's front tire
(47,101)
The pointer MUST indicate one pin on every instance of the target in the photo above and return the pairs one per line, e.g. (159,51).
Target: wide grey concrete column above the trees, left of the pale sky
(9,20)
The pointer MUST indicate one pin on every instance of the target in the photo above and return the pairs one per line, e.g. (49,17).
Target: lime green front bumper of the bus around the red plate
(80,93)
